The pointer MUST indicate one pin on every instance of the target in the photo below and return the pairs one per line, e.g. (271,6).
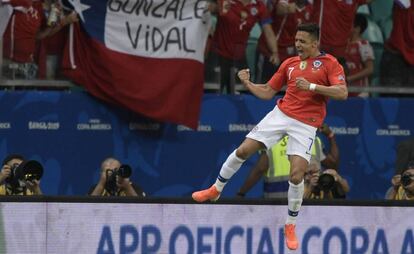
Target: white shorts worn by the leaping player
(275,125)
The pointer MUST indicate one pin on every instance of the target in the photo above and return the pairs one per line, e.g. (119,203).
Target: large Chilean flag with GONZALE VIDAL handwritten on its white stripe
(146,55)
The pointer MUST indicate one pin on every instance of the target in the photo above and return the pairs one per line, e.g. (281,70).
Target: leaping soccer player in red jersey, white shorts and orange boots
(311,77)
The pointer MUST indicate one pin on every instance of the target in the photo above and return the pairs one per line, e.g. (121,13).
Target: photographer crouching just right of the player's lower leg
(326,185)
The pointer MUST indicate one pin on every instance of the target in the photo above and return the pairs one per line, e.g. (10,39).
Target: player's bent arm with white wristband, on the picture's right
(336,77)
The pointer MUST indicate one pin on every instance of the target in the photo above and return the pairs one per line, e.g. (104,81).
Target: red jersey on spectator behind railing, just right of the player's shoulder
(356,54)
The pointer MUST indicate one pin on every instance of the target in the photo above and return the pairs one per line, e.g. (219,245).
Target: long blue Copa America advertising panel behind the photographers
(70,133)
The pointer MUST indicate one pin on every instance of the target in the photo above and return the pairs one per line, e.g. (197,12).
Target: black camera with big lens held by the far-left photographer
(25,171)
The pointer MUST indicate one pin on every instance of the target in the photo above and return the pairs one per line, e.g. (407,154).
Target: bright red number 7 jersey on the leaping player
(307,106)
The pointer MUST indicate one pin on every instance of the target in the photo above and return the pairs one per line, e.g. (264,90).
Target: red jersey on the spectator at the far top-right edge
(402,35)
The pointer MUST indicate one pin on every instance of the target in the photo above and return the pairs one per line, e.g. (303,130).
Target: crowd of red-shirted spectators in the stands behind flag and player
(366,36)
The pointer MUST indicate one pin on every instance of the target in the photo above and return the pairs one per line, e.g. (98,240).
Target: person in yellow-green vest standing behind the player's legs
(274,165)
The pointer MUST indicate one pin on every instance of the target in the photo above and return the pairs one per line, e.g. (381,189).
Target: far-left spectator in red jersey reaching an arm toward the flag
(26,27)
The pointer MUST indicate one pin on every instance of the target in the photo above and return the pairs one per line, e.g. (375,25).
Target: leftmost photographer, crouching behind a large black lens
(18,178)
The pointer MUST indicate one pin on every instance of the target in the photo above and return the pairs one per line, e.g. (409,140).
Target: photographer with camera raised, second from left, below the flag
(114,181)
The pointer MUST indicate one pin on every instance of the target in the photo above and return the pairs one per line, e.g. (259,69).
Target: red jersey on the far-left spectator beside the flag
(19,40)
